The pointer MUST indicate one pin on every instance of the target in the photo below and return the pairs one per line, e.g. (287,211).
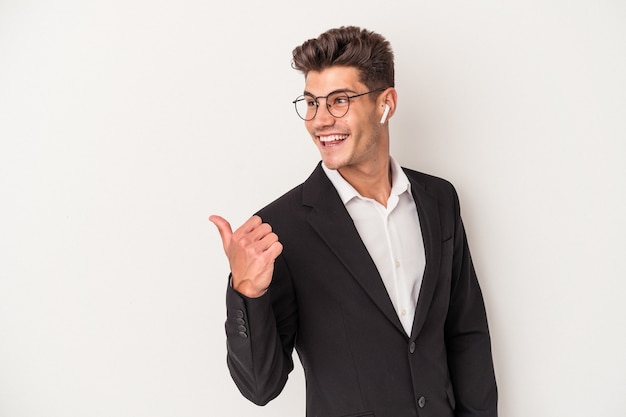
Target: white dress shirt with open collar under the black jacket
(392,236)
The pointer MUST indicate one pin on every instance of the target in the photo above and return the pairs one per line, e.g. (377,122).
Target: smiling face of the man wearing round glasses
(356,141)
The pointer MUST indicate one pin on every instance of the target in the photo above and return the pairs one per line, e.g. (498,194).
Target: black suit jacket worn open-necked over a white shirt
(328,301)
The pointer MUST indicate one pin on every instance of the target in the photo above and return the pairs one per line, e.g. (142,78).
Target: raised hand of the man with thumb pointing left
(251,251)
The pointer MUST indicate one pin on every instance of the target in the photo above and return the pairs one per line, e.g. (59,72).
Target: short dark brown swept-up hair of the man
(350,46)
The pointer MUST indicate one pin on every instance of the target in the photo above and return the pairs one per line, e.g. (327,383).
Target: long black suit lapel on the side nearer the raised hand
(330,219)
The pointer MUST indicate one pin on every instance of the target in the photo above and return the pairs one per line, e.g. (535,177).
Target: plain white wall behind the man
(125,124)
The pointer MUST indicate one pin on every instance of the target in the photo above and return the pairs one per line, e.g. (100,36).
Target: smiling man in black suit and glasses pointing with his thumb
(364,268)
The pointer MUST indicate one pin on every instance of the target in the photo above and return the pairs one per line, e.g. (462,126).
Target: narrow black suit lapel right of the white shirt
(428,212)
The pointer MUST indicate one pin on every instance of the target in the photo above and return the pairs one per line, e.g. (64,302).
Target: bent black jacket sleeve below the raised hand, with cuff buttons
(260,336)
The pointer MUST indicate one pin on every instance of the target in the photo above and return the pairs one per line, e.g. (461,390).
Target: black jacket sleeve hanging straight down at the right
(467,335)
